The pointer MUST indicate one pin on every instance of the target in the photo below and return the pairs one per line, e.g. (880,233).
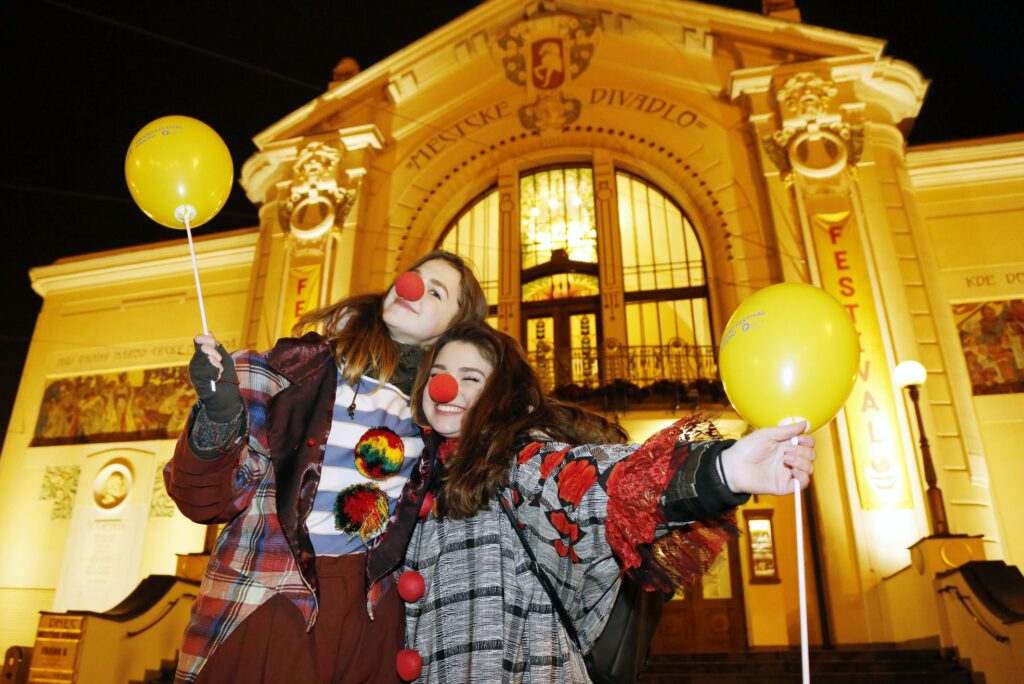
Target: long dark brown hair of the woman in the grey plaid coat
(510,407)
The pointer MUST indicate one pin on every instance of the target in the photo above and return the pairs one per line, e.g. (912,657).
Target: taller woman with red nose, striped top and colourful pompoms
(310,456)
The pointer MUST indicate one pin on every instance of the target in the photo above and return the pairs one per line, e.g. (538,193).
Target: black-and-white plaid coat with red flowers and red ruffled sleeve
(588,512)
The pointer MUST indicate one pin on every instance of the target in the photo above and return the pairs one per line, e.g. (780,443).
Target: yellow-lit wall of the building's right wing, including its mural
(971,209)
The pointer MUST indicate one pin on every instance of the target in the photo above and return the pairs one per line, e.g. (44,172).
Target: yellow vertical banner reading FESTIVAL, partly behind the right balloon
(876,443)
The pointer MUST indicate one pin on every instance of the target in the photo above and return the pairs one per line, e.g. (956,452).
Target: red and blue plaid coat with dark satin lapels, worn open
(263,487)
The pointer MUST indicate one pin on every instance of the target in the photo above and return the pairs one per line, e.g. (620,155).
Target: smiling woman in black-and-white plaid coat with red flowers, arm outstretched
(588,514)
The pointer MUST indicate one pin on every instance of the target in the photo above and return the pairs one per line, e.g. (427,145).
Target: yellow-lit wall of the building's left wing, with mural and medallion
(101,393)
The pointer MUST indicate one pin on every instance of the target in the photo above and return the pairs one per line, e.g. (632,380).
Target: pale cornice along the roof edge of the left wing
(135,265)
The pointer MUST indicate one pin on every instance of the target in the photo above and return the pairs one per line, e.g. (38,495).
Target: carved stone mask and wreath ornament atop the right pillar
(815,140)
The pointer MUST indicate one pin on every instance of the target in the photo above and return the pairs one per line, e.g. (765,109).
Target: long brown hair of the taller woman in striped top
(357,330)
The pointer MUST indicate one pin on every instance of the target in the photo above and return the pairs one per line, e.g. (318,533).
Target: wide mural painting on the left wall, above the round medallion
(152,404)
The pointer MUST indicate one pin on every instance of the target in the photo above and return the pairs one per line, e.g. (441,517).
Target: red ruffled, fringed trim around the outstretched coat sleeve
(635,490)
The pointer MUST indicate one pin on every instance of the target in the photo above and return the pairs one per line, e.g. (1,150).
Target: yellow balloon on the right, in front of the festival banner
(790,351)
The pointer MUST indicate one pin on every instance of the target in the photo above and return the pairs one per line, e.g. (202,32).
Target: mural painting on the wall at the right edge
(993,340)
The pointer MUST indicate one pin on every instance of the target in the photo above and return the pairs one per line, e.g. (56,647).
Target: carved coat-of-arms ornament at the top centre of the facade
(544,53)
